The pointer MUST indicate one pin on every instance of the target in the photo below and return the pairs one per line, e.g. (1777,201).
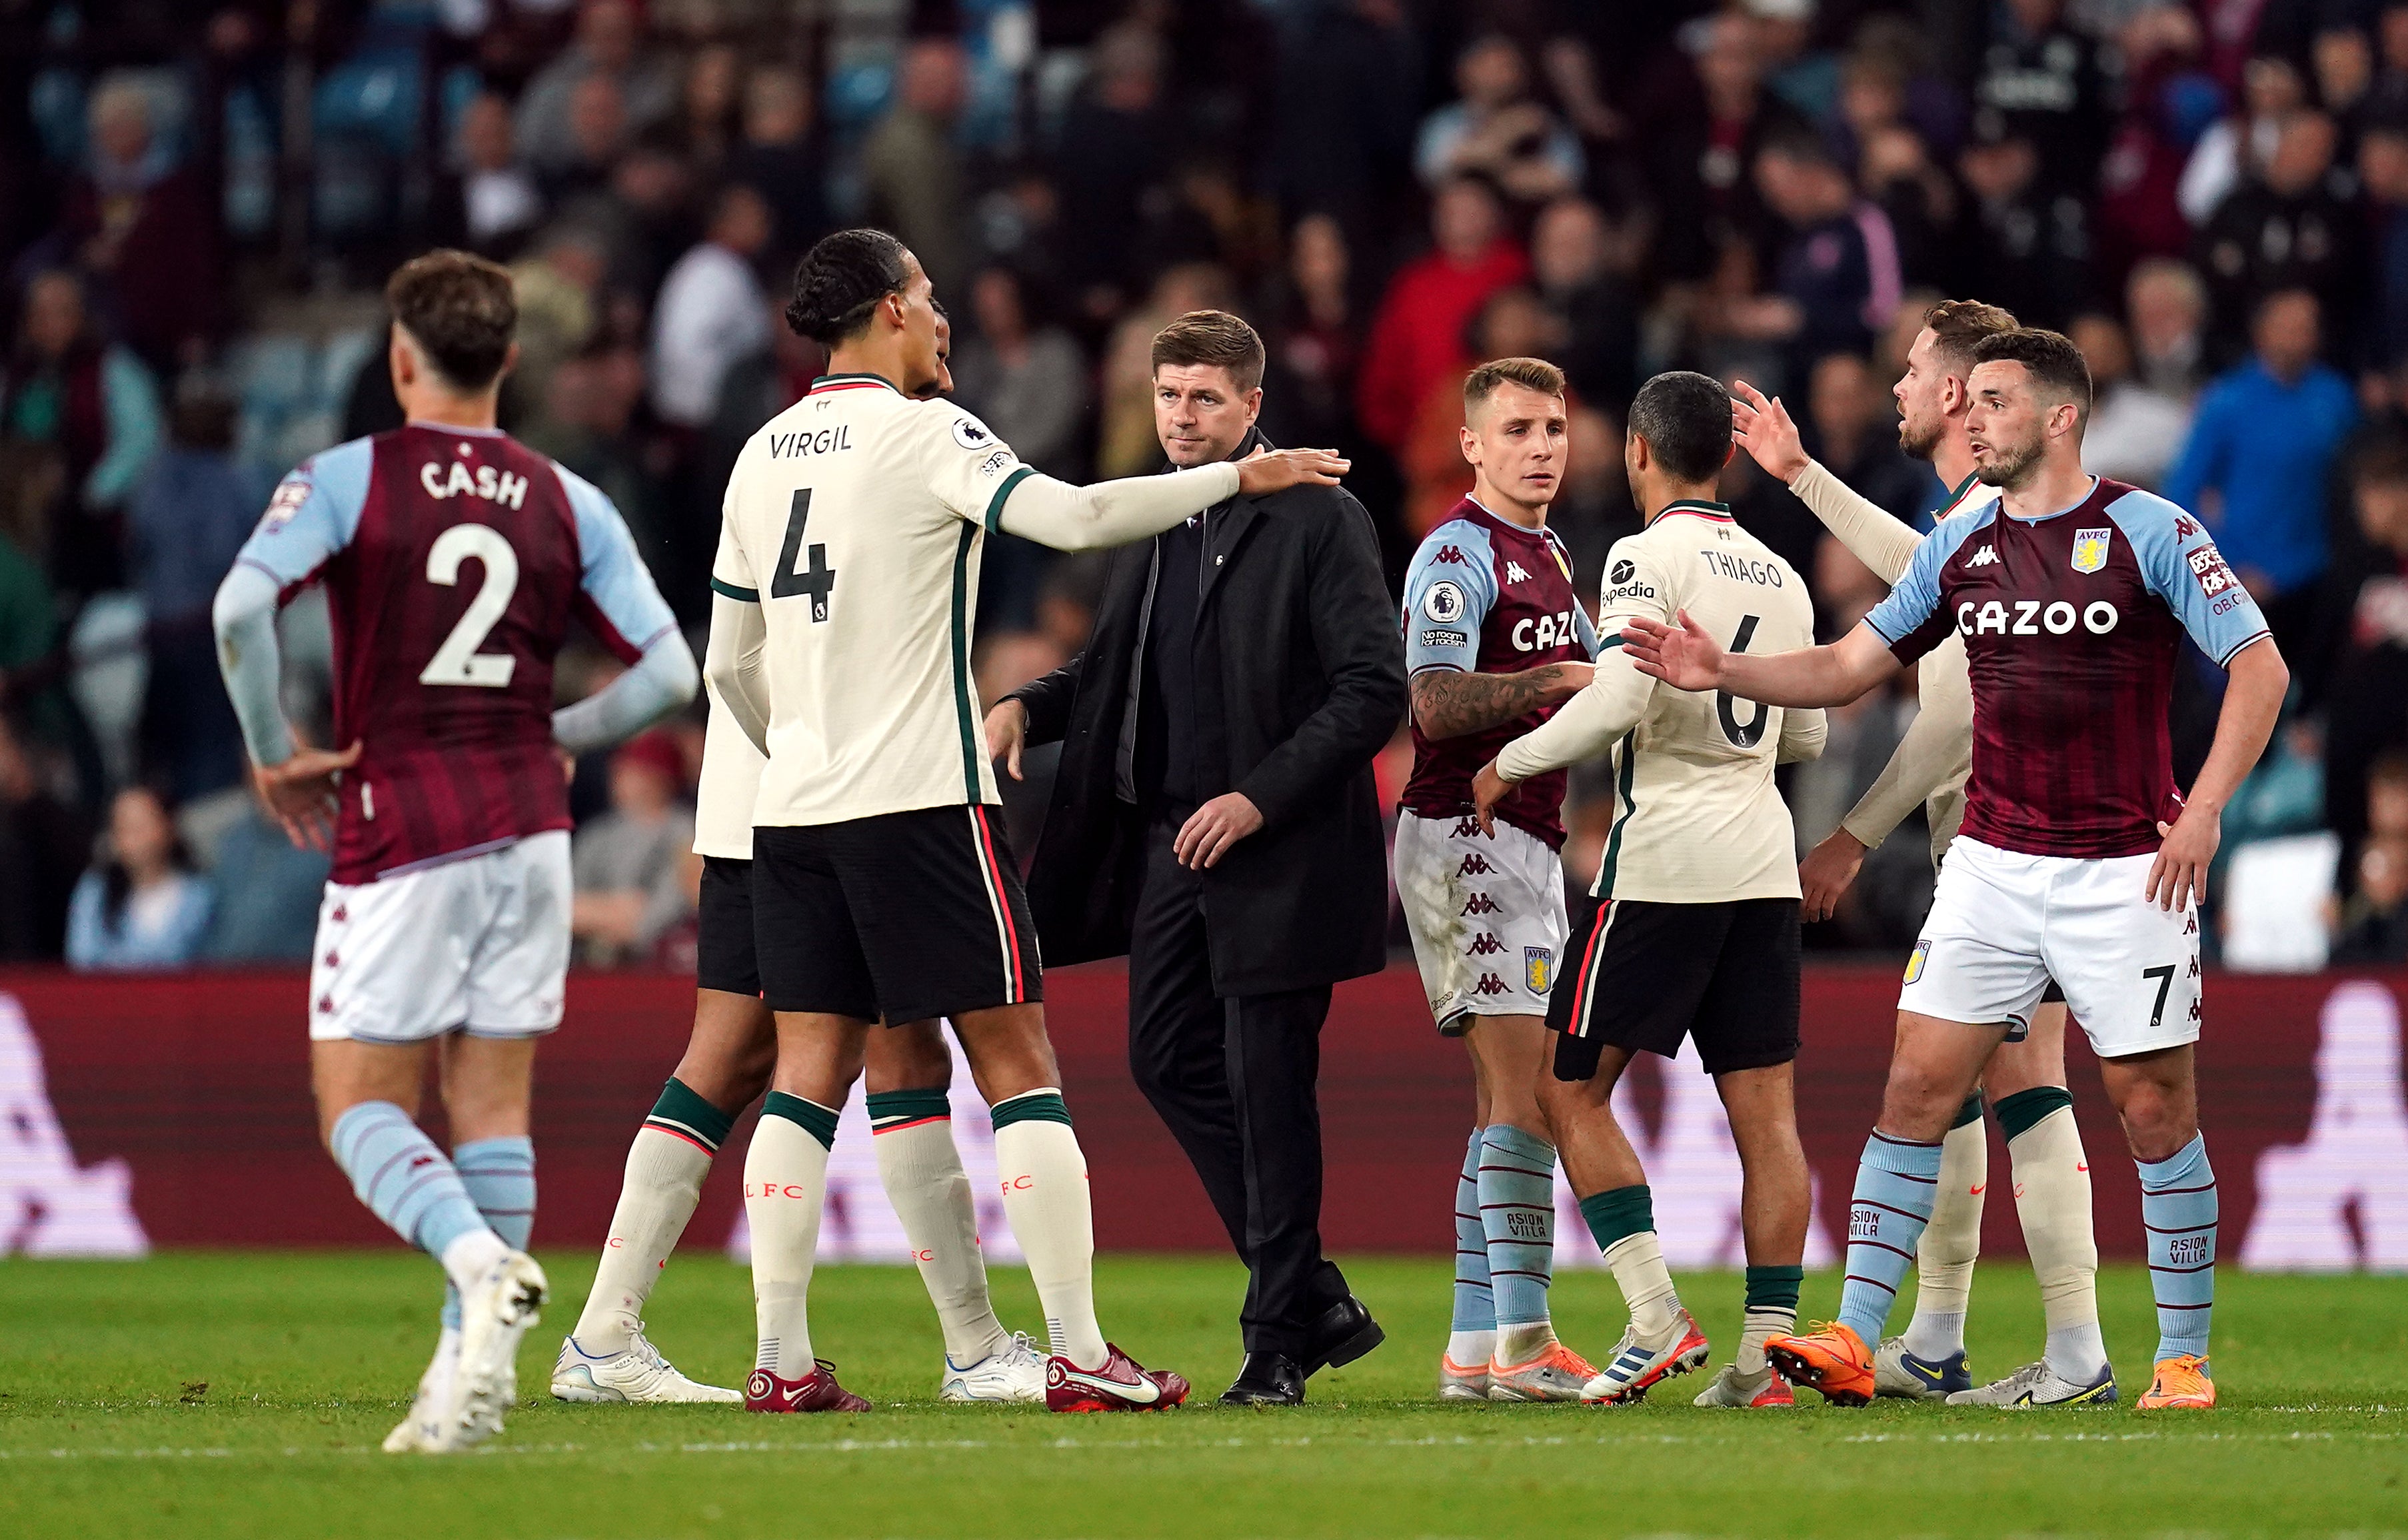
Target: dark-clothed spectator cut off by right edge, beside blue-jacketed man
(2363,661)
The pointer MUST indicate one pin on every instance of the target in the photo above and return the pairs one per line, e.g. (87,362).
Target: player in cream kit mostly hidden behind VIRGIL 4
(726,1067)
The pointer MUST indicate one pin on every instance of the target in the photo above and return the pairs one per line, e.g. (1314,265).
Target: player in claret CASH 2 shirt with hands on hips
(454,559)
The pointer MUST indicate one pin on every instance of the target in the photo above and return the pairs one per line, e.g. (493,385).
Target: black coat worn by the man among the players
(1302,629)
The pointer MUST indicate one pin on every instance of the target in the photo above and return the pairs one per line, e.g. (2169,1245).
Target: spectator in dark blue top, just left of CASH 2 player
(187,526)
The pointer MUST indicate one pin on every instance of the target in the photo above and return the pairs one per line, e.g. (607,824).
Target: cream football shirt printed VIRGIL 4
(856,521)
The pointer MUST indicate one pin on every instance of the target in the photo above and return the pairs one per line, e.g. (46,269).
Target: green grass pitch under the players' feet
(309,1358)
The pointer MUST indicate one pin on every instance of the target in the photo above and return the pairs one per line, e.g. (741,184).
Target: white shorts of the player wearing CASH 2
(476,944)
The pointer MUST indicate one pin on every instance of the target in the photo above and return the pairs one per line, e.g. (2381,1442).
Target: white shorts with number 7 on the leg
(2002,925)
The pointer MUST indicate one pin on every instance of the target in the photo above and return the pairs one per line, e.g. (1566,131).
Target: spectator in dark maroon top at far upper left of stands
(143,230)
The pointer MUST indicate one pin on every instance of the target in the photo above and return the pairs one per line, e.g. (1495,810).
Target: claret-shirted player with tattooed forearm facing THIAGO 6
(1497,639)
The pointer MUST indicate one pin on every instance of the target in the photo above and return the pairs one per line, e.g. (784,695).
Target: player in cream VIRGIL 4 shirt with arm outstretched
(883,884)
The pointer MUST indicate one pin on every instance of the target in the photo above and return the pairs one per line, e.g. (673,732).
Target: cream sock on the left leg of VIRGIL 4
(786,1183)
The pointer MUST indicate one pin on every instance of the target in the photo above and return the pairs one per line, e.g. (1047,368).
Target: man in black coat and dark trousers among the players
(1215,819)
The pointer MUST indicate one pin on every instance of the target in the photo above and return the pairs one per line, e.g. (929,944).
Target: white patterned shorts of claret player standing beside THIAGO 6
(1485,913)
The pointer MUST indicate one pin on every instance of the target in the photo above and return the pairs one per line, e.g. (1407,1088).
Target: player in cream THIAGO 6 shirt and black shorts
(1694,923)
